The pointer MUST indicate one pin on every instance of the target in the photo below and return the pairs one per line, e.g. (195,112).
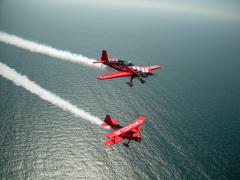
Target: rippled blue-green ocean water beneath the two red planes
(192,103)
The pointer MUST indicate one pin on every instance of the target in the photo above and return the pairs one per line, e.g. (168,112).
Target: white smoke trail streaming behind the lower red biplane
(23,81)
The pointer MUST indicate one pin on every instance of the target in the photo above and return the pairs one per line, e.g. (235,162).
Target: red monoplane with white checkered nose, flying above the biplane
(125,68)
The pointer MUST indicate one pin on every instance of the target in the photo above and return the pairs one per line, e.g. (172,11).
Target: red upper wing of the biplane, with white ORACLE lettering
(133,126)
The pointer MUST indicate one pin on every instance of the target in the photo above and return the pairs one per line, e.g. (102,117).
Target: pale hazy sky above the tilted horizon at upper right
(215,8)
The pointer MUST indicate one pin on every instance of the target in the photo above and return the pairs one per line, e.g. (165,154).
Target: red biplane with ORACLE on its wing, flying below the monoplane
(130,131)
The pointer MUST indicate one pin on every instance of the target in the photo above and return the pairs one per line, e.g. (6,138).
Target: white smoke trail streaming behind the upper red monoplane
(44,49)
